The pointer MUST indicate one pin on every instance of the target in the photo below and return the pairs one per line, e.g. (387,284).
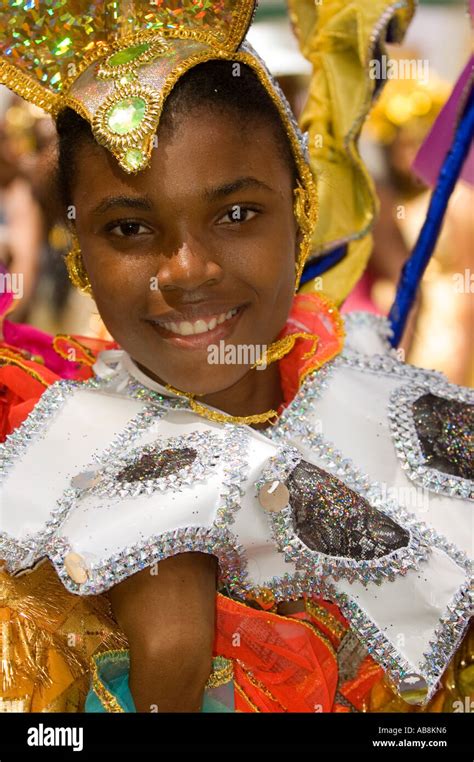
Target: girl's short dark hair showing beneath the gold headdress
(211,85)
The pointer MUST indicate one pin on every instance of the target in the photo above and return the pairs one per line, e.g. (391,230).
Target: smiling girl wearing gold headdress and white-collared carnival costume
(224,542)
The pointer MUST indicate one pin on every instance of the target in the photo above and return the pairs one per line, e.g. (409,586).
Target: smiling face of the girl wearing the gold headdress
(197,249)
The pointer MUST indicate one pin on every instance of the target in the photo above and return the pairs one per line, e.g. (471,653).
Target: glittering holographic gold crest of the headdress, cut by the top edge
(85,28)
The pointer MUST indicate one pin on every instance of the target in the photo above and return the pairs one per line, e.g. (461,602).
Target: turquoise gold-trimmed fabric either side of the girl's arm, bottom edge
(113,672)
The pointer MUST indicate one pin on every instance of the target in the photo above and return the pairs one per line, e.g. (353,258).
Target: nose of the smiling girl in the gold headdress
(189,267)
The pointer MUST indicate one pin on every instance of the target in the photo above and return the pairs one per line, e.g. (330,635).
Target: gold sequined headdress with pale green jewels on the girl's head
(115,62)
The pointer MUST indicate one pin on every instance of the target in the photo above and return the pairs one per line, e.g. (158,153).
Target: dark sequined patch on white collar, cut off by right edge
(445,430)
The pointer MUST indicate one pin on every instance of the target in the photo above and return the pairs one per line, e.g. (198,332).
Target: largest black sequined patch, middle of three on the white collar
(333,519)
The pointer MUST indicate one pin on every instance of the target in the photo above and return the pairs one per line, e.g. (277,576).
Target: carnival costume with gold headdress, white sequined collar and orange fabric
(111,473)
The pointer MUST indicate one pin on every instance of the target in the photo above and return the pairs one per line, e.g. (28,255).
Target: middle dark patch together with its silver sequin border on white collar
(376,526)
